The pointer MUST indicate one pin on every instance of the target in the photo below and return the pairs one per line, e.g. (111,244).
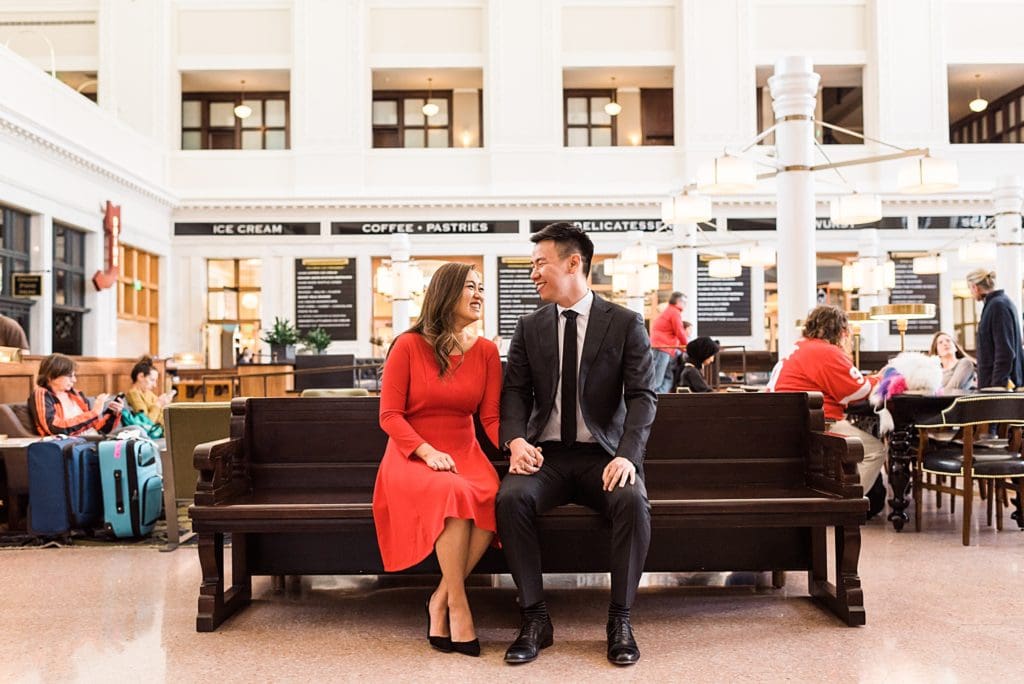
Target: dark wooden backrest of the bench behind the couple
(713,441)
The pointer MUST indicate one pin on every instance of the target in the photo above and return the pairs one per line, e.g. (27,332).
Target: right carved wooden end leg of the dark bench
(845,597)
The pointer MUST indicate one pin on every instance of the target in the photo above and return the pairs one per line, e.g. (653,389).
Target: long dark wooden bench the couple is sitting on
(736,482)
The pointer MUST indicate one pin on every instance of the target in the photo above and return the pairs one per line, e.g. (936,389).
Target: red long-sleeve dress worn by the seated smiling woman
(411,501)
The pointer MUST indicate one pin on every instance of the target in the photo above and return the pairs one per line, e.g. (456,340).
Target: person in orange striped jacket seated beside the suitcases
(57,408)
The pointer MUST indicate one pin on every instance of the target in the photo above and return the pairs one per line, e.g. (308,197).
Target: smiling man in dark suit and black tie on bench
(577,409)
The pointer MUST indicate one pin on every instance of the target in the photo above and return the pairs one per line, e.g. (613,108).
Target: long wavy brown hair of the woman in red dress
(437,322)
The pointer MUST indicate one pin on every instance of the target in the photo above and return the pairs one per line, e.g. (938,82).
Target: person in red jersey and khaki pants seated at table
(821,365)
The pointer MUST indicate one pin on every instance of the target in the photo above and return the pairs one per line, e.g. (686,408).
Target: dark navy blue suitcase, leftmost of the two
(65,492)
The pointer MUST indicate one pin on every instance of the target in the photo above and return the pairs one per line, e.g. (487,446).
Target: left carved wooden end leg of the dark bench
(217,606)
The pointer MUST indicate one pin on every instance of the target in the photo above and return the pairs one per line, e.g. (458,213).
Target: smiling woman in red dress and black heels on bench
(436,489)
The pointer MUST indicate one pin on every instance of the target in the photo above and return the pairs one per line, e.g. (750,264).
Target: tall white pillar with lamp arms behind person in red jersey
(794,90)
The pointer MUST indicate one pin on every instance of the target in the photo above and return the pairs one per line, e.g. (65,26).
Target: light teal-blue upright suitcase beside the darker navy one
(134,486)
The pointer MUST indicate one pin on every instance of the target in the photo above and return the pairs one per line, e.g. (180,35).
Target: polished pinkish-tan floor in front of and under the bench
(936,613)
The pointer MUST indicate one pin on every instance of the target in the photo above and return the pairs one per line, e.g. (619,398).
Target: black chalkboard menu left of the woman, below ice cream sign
(325,296)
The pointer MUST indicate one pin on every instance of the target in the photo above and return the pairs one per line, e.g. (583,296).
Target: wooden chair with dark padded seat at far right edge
(967,459)
